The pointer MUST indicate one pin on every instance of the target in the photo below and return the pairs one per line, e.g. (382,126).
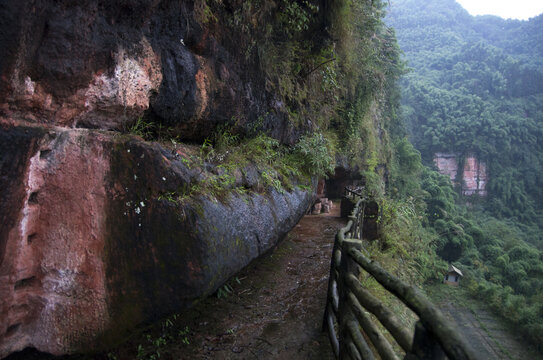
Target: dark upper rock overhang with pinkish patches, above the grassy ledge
(102,65)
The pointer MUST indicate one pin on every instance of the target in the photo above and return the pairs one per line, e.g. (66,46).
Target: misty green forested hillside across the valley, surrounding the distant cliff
(475,86)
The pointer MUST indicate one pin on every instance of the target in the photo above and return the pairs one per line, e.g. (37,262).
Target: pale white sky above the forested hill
(507,9)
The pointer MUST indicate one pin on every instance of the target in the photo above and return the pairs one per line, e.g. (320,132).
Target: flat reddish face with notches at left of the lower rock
(52,279)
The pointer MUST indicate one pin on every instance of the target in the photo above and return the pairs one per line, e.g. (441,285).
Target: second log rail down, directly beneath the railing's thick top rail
(403,336)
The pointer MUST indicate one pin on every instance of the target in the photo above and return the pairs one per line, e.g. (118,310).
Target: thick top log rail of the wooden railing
(433,320)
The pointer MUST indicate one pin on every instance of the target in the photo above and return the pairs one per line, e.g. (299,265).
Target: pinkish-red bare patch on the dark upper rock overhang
(108,100)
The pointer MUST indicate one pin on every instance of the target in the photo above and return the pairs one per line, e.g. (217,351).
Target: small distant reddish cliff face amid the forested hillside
(473,175)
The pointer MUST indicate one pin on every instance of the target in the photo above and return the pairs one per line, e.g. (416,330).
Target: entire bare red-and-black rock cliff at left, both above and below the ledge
(89,246)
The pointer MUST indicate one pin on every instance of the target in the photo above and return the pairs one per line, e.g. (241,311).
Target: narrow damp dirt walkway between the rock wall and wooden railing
(275,310)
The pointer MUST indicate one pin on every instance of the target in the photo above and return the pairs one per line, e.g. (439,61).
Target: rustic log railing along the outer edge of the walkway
(350,327)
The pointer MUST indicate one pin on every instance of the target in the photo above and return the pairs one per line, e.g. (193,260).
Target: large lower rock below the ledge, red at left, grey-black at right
(90,249)
